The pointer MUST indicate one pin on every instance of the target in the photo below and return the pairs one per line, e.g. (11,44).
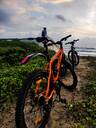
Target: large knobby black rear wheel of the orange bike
(31,109)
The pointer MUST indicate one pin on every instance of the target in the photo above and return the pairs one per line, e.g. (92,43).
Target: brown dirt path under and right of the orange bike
(60,117)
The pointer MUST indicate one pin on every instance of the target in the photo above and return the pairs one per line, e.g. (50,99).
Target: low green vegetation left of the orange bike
(12,73)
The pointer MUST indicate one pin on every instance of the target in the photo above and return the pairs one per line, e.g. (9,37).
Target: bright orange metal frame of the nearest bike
(50,71)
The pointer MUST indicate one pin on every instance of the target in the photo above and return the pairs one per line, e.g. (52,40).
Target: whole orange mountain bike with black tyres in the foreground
(37,94)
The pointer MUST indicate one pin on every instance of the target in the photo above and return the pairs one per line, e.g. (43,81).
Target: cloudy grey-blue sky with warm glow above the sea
(25,18)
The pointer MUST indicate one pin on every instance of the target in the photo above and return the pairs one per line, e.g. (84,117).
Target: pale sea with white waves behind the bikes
(85,47)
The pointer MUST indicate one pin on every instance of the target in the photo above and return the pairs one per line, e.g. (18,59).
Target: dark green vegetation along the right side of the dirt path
(84,112)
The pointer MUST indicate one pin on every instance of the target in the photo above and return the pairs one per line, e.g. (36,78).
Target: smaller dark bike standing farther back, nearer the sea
(72,54)
